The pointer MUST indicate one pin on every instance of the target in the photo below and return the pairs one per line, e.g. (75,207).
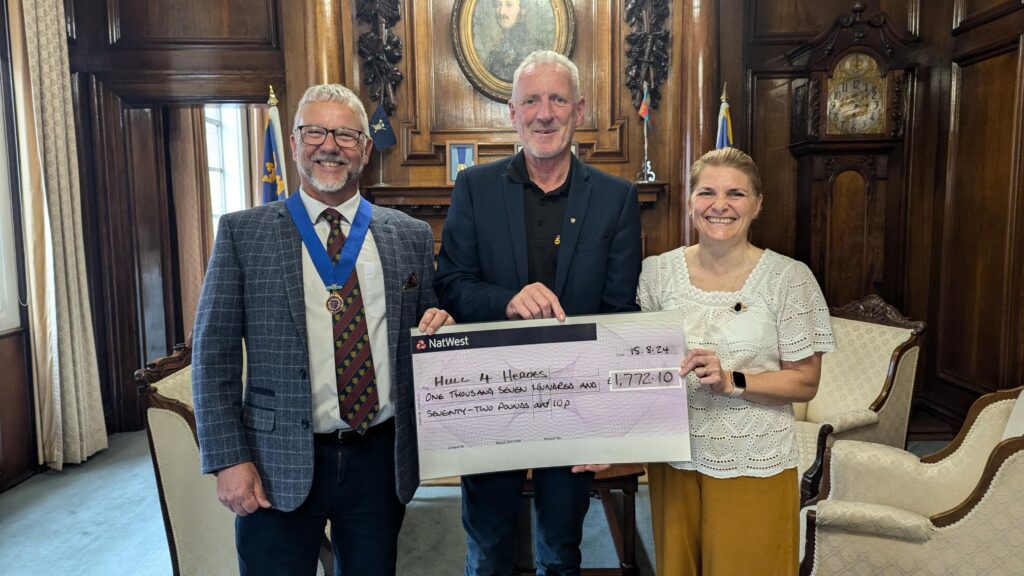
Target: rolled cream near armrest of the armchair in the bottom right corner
(874,520)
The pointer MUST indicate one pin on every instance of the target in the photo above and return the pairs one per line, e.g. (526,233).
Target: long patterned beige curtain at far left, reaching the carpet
(70,414)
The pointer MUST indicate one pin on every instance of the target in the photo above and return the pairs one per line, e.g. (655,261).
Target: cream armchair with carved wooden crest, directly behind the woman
(867,385)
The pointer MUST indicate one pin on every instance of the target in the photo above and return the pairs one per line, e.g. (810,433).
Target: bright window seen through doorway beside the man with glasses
(226,148)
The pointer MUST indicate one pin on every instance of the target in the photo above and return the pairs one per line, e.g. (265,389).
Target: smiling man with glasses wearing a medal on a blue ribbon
(324,290)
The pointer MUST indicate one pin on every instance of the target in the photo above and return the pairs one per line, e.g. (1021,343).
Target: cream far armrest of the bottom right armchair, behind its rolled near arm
(876,474)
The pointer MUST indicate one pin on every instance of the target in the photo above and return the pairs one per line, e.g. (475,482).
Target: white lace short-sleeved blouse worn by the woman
(784,317)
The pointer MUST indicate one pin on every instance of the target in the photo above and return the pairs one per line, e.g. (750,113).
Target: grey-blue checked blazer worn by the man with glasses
(253,291)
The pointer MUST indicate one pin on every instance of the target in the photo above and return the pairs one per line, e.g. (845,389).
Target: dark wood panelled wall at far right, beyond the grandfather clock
(978,312)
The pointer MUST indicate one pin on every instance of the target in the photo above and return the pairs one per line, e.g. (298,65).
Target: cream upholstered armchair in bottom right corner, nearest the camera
(960,511)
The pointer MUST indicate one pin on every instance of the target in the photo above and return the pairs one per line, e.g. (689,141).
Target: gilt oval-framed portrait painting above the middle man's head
(492,37)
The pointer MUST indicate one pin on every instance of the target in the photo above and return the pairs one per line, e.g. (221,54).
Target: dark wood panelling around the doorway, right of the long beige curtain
(133,63)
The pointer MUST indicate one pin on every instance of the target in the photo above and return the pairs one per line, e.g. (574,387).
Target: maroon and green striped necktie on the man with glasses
(353,359)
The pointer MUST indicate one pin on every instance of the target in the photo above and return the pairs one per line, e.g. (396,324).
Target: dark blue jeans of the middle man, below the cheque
(491,516)
